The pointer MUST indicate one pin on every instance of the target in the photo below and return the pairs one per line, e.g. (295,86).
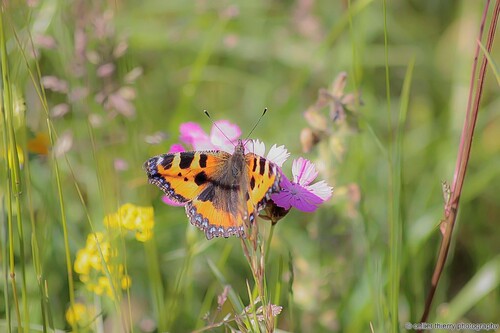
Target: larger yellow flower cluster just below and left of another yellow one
(97,267)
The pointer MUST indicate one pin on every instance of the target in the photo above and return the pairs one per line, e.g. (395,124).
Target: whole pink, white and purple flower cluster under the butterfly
(296,192)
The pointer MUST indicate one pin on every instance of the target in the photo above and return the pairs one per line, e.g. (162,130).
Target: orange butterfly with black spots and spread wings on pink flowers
(221,191)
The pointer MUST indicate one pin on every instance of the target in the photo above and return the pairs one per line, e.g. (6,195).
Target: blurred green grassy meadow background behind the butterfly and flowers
(120,77)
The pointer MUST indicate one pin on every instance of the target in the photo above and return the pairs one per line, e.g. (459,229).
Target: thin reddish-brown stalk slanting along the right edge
(451,206)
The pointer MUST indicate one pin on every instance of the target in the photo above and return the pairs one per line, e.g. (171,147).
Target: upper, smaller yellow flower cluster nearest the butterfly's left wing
(129,217)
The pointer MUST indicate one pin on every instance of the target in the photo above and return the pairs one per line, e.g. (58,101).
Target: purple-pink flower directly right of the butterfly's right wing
(298,193)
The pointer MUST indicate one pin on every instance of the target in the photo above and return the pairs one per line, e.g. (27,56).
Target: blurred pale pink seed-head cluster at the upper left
(96,57)
